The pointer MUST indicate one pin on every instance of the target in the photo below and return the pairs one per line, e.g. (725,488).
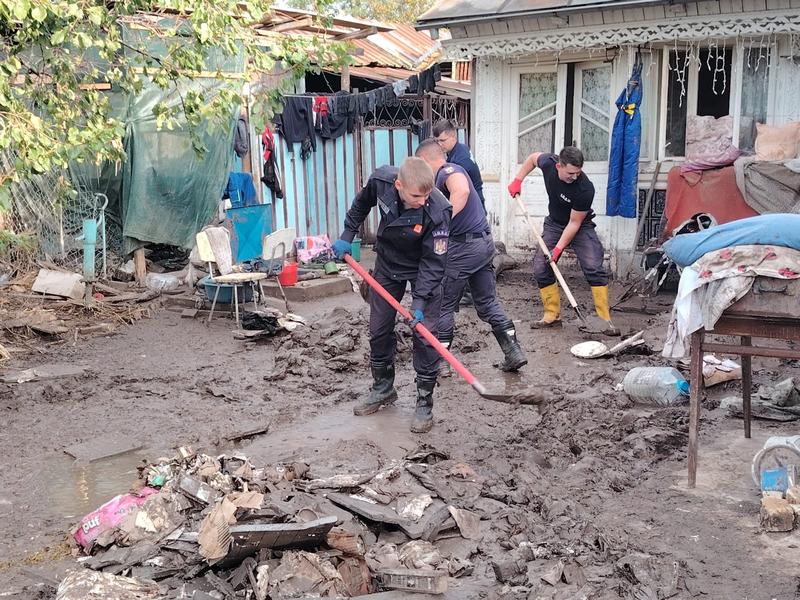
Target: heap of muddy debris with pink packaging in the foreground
(199,526)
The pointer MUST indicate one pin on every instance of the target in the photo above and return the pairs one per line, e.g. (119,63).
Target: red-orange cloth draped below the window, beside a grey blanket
(714,192)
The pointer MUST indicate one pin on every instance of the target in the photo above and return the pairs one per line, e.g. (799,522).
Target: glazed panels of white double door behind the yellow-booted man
(565,106)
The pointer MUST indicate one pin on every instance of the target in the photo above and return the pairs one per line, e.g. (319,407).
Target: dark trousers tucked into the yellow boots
(587,248)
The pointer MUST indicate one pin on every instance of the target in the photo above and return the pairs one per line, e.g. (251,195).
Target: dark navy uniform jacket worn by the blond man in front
(411,244)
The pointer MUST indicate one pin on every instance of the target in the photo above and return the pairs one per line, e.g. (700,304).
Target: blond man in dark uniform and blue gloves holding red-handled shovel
(412,242)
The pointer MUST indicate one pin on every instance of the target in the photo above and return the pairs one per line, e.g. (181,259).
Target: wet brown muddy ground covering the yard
(589,478)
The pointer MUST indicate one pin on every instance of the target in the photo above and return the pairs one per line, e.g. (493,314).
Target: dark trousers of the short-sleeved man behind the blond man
(471,262)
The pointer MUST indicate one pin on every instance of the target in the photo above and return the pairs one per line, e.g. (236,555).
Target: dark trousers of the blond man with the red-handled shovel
(382,319)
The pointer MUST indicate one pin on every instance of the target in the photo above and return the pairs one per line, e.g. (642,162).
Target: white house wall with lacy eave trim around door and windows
(495,92)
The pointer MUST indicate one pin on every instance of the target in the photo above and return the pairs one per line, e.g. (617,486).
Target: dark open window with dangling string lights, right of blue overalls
(698,83)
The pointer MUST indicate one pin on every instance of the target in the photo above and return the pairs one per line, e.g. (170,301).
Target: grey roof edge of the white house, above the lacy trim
(451,12)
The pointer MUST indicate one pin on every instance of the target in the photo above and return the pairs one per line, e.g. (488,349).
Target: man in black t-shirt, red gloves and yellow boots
(569,224)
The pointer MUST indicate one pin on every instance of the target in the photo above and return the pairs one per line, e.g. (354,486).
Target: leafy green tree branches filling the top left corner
(54,53)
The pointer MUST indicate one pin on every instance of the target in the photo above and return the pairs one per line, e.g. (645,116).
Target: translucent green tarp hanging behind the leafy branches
(164,193)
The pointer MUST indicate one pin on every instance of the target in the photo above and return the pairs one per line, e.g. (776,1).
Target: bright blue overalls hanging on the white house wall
(626,137)
